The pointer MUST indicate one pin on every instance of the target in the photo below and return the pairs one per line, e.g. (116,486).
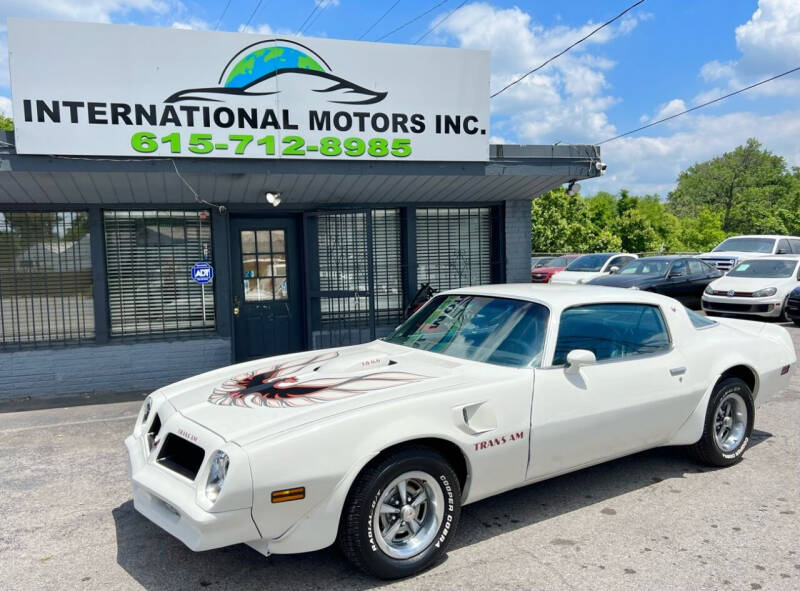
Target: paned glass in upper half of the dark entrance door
(264,265)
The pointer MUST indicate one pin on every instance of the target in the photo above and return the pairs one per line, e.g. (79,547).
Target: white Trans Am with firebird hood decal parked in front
(378,446)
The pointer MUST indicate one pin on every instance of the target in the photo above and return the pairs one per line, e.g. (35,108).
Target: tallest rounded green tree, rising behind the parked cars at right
(744,185)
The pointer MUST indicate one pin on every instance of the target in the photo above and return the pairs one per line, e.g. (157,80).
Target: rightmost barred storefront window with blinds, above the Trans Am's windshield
(454,247)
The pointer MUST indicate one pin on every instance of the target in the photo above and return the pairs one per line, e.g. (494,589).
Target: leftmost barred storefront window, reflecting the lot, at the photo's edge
(45,278)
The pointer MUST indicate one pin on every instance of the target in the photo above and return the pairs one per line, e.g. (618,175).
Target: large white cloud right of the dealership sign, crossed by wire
(564,101)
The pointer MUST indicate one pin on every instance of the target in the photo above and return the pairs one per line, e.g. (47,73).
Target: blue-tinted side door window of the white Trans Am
(611,331)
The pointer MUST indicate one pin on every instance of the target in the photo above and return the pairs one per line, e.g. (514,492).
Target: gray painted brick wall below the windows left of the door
(144,366)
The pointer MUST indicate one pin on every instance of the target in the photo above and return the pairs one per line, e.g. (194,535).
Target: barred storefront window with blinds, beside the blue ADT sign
(149,258)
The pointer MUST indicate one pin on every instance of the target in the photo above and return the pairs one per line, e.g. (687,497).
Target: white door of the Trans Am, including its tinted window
(632,398)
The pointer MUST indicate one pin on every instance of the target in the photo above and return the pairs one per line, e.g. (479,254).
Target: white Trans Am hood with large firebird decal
(248,401)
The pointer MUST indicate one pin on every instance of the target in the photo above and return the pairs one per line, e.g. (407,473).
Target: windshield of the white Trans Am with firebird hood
(478,328)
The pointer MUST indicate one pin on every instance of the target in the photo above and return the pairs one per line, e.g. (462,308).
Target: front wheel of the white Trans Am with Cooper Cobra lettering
(373,508)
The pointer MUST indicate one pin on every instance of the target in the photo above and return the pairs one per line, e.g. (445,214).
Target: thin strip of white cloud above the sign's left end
(81,10)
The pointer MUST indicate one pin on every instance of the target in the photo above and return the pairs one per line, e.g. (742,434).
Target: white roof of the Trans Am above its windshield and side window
(559,297)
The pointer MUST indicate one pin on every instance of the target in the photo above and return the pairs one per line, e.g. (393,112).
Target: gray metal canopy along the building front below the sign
(513,172)
